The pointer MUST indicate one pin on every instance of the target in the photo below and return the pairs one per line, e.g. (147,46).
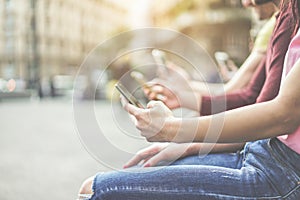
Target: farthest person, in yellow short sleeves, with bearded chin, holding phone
(227,67)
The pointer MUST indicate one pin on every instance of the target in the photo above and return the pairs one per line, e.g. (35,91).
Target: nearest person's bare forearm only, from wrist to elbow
(240,125)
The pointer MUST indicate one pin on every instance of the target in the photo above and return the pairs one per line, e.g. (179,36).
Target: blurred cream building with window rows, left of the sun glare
(41,38)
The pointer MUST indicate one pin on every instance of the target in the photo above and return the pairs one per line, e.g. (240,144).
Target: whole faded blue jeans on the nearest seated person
(265,169)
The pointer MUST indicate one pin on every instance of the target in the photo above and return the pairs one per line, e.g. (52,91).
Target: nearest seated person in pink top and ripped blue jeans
(262,164)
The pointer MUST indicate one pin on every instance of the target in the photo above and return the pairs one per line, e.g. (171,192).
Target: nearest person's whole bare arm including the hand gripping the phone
(262,120)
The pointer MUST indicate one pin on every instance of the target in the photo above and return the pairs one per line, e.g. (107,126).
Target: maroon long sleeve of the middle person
(265,83)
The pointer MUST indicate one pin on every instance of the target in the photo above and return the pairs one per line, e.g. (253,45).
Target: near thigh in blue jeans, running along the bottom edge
(182,182)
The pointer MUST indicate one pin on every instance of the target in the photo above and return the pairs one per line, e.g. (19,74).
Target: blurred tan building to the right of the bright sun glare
(218,25)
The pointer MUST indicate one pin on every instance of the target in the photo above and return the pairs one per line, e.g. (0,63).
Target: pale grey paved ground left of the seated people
(41,154)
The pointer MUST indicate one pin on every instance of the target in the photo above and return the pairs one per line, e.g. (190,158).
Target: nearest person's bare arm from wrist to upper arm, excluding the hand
(254,122)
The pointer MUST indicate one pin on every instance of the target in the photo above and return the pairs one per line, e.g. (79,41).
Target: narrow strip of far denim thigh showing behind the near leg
(229,160)
